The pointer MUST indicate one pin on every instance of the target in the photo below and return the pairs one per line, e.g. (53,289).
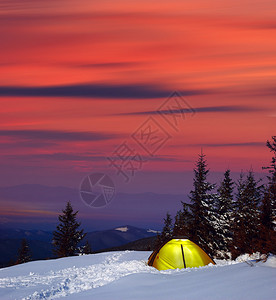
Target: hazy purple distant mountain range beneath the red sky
(38,206)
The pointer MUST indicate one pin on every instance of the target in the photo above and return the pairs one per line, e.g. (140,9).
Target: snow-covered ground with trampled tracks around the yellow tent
(125,275)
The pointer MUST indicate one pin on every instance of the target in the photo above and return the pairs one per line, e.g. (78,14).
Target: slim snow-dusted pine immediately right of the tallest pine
(224,211)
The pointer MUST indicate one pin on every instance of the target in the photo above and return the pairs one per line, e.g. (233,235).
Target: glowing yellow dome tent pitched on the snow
(179,253)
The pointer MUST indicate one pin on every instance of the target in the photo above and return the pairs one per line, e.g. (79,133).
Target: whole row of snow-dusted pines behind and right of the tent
(225,221)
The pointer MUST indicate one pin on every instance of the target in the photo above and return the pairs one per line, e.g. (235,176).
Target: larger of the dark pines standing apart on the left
(67,236)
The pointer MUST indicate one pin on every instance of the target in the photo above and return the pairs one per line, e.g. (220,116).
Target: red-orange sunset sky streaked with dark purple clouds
(87,85)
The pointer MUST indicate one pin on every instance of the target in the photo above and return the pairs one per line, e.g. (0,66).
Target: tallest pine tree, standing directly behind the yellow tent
(202,213)
